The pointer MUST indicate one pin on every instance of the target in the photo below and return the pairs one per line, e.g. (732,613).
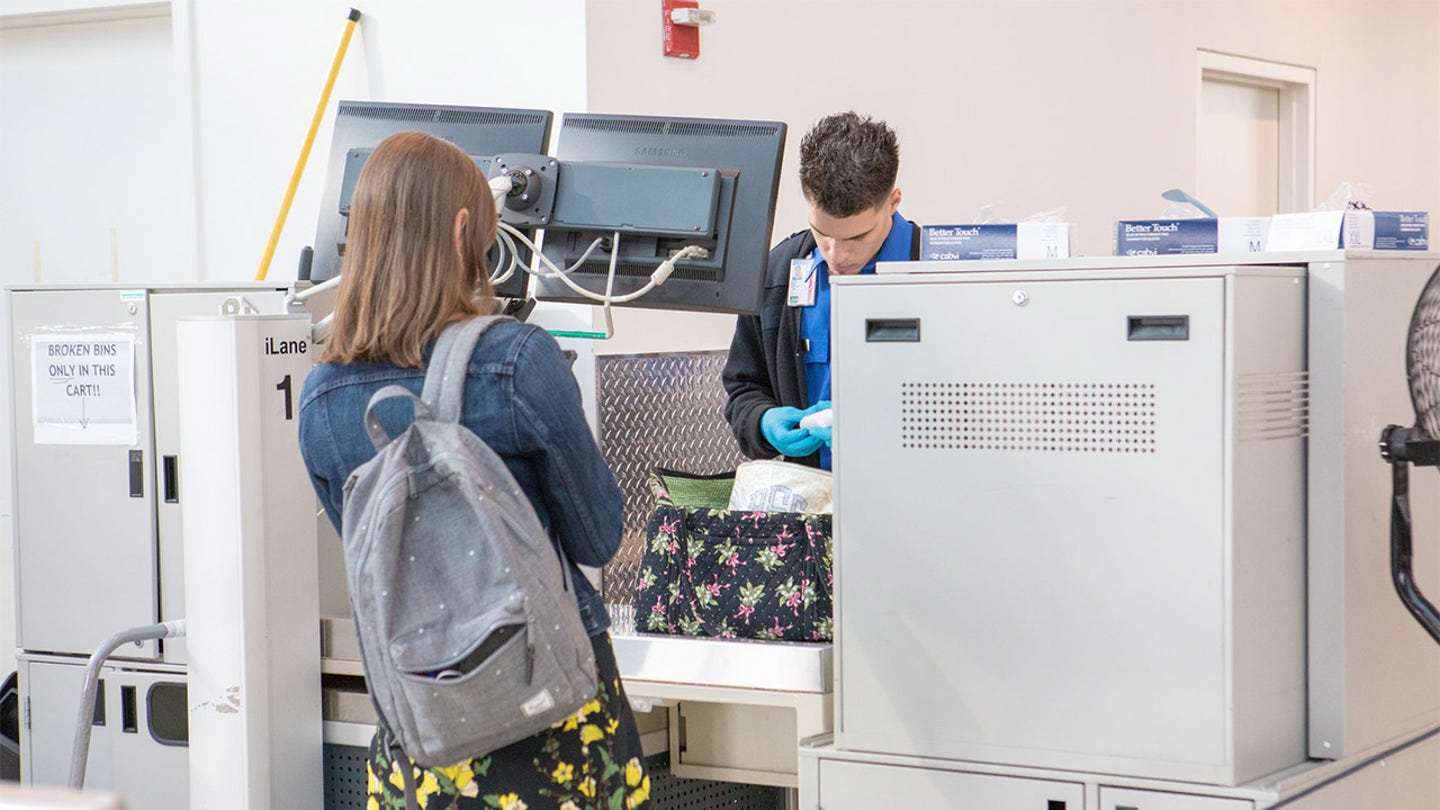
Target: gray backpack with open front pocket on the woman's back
(469,628)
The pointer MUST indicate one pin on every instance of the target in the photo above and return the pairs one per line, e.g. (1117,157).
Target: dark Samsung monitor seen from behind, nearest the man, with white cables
(657,214)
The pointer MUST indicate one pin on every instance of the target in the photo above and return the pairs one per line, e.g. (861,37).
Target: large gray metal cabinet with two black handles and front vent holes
(1058,495)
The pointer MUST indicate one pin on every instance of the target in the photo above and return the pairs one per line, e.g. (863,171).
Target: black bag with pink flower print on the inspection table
(709,571)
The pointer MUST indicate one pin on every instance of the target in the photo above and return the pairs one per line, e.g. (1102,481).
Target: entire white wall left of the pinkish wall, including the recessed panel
(246,80)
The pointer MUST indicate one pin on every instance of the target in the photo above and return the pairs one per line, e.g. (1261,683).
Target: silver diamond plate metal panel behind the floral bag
(657,411)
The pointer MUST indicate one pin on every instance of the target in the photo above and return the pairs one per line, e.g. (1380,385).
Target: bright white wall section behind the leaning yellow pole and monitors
(260,68)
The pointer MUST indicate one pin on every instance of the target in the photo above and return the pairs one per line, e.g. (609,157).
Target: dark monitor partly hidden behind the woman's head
(361,126)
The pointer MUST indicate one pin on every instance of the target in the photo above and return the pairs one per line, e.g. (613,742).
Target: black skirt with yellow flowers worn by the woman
(590,762)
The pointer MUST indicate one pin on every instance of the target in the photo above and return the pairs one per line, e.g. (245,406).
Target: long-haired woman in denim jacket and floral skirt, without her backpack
(421,223)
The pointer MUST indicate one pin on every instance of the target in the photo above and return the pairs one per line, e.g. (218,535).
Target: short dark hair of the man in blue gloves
(849,164)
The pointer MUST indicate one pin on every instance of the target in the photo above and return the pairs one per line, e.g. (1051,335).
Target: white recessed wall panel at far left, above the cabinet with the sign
(87,153)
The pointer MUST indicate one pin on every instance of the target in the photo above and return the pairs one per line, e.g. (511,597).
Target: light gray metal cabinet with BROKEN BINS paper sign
(97,525)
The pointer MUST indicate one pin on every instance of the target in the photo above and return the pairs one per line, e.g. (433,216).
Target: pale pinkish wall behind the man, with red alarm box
(1088,104)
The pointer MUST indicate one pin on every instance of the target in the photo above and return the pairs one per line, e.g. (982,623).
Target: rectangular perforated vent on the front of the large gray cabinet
(1049,417)
